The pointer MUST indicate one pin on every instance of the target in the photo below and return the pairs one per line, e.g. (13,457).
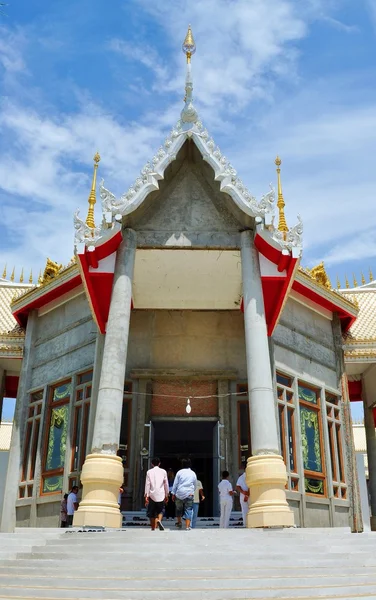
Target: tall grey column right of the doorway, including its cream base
(266,472)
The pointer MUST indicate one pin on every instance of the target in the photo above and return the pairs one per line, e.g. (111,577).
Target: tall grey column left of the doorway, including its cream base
(102,472)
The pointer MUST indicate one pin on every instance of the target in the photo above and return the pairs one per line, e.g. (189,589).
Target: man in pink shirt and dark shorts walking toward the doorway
(156,494)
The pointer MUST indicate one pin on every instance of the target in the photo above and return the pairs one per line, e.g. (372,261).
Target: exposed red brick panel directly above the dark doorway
(178,392)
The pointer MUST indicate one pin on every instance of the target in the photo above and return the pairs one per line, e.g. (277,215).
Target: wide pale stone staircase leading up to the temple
(203,564)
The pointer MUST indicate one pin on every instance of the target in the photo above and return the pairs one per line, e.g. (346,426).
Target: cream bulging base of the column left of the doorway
(102,475)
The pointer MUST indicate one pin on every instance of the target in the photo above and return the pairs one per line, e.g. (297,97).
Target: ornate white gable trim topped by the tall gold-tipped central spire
(188,127)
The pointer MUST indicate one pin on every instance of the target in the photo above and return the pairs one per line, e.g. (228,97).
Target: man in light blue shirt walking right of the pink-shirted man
(182,493)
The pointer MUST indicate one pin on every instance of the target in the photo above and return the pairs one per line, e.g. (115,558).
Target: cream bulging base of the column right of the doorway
(266,478)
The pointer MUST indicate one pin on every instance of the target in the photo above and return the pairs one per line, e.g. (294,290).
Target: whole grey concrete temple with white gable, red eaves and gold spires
(185,326)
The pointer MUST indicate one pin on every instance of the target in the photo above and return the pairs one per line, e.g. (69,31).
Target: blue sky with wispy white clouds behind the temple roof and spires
(293,77)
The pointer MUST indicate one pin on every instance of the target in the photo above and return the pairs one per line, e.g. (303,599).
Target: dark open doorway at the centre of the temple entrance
(174,440)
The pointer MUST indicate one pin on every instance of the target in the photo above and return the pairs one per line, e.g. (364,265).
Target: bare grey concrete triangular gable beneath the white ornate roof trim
(188,210)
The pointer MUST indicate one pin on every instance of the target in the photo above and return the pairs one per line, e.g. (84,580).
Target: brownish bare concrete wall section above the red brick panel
(200,340)
